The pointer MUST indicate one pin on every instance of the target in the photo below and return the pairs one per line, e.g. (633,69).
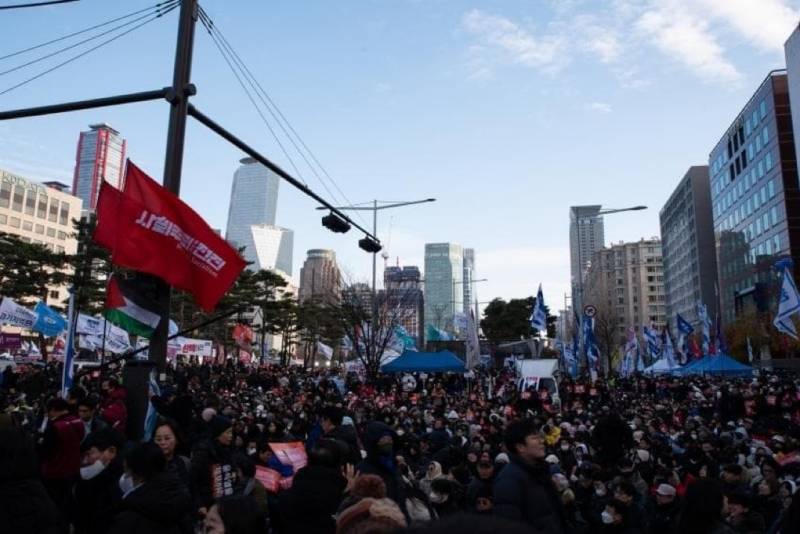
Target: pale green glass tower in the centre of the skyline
(444,294)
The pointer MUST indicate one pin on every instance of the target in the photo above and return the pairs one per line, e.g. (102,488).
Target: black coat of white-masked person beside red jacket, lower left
(95,500)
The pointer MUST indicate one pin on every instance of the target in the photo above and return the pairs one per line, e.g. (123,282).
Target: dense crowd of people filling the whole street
(413,453)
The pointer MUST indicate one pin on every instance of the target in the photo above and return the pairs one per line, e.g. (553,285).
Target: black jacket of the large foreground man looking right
(525,493)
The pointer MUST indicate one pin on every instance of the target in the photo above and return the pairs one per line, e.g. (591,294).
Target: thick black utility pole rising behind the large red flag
(176,134)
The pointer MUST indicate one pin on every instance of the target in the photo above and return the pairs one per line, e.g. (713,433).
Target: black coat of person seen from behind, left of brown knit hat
(308,506)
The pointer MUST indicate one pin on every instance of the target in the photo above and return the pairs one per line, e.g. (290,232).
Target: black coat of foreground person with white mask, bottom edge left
(159,506)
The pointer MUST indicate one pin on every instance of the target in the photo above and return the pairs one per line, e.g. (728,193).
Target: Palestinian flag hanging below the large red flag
(129,309)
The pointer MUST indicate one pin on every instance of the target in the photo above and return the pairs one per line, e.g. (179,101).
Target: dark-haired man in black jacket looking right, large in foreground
(523,489)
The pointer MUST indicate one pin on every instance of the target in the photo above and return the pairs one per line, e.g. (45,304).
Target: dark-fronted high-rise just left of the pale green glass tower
(403,294)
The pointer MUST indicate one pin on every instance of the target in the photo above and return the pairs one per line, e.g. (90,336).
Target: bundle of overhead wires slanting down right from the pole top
(279,117)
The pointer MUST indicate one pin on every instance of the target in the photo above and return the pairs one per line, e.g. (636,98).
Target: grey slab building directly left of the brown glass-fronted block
(687,244)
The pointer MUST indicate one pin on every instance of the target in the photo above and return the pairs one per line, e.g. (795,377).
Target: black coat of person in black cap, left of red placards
(212,472)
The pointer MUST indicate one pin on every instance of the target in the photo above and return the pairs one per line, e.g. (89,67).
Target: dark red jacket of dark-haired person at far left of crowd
(61,456)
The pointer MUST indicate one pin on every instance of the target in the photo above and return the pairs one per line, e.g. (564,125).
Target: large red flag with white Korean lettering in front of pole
(164,237)
